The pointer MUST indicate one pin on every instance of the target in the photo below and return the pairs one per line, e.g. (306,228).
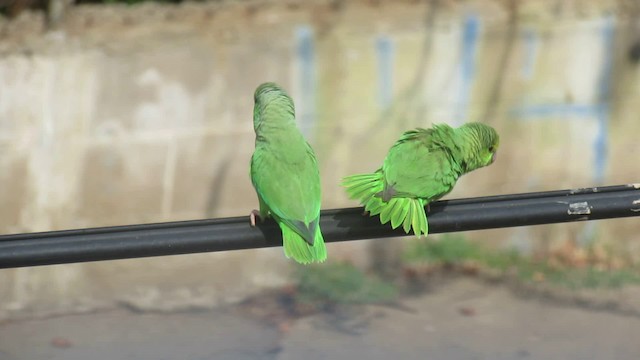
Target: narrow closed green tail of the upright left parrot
(299,250)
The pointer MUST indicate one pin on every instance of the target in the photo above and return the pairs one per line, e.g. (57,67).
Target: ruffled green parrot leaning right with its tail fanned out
(421,167)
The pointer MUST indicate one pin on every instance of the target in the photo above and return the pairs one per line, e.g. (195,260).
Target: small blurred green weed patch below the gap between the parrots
(341,283)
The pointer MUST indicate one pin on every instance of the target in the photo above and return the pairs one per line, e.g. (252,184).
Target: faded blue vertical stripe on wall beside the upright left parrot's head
(305,53)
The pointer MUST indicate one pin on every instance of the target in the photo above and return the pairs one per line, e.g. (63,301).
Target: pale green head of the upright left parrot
(267,95)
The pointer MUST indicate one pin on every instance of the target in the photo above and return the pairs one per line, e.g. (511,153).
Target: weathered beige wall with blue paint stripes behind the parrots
(143,114)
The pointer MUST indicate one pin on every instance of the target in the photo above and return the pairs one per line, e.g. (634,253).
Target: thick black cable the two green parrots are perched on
(185,237)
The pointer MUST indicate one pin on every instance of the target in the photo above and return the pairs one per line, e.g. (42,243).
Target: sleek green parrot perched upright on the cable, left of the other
(285,174)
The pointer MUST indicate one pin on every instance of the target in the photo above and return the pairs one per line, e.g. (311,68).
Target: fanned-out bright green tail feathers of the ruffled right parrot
(408,212)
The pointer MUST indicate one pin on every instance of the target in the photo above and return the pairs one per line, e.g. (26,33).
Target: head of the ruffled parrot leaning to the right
(484,144)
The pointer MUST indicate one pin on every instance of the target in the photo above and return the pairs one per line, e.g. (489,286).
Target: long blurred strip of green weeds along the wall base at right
(455,250)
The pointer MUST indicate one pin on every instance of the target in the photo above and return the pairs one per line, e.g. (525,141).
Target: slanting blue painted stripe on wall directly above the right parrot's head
(470,35)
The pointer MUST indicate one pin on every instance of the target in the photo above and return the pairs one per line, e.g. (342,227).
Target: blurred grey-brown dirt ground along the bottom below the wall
(462,319)
